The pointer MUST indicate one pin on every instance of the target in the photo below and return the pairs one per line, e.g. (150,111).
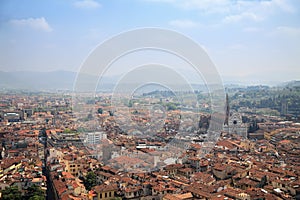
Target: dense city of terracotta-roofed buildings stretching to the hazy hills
(48,153)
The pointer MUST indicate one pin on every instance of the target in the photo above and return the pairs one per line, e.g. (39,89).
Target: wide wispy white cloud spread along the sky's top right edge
(234,10)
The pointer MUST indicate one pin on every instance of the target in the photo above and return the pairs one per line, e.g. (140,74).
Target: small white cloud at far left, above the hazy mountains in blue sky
(33,23)
